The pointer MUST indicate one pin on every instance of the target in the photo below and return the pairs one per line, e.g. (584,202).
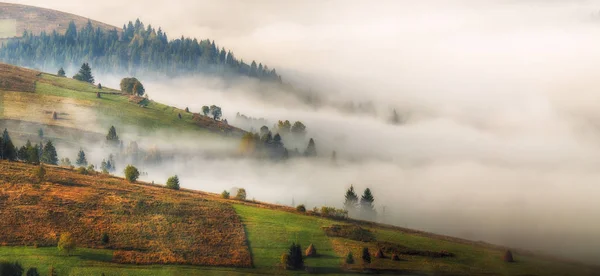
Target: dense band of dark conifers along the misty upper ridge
(135,50)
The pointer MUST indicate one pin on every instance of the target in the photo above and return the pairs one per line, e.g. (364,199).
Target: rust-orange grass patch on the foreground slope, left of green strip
(146,224)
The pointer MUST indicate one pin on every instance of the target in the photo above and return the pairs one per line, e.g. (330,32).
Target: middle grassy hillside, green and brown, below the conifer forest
(33,97)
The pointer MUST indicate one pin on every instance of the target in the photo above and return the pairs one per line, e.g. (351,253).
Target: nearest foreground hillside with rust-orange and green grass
(149,224)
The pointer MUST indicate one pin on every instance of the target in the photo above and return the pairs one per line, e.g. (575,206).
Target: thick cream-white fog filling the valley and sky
(501,143)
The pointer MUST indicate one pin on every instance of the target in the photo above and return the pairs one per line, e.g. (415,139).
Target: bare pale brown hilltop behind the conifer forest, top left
(15,19)
